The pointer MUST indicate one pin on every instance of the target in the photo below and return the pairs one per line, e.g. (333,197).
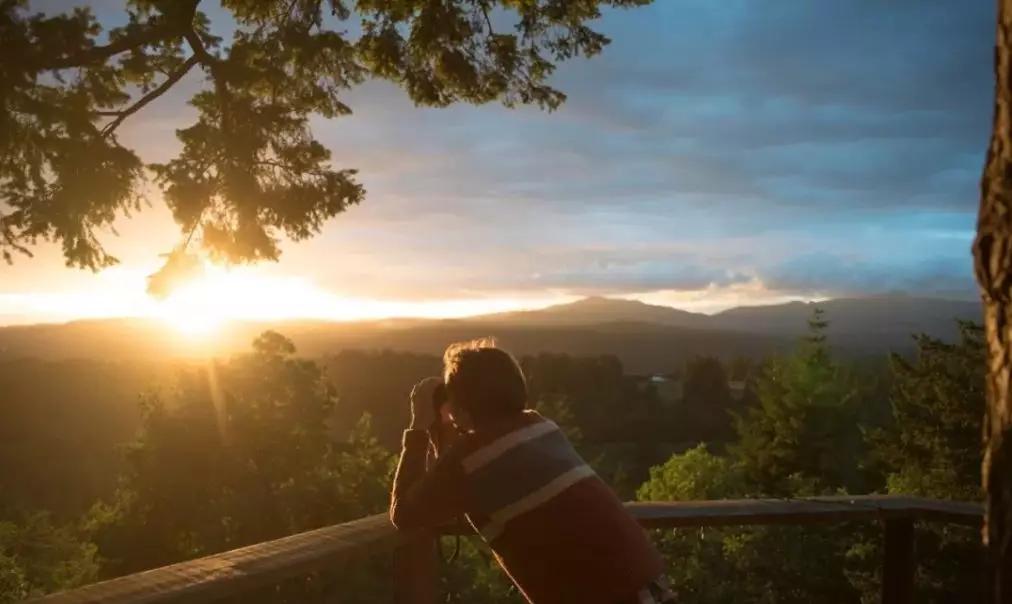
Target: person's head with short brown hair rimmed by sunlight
(484,382)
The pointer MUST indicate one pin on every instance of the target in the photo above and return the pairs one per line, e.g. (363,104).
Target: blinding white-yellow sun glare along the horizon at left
(200,310)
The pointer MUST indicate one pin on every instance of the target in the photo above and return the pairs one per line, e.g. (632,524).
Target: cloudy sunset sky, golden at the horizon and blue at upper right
(717,154)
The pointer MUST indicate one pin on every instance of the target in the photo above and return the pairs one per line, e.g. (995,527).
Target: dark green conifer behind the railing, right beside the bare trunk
(934,449)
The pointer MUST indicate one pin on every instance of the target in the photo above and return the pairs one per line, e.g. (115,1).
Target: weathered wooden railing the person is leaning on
(248,569)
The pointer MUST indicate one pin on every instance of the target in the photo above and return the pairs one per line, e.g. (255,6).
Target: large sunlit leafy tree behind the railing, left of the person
(239,454)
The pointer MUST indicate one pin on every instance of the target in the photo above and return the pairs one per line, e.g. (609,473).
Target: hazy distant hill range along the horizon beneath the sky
(648,338)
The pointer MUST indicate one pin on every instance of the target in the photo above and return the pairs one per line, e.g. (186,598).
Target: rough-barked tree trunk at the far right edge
(993,265)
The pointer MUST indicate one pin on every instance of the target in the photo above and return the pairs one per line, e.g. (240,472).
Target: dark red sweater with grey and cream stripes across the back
(558,531)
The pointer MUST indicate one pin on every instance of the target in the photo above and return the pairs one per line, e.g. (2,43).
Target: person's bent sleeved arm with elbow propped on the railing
(426,499)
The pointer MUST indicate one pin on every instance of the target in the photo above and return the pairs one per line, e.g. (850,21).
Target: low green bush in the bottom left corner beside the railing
(38,557)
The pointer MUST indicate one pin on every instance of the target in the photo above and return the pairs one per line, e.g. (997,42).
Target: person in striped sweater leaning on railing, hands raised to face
(556,529)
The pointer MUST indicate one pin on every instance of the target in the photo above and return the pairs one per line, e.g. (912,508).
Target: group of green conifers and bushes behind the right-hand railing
(804,439)
